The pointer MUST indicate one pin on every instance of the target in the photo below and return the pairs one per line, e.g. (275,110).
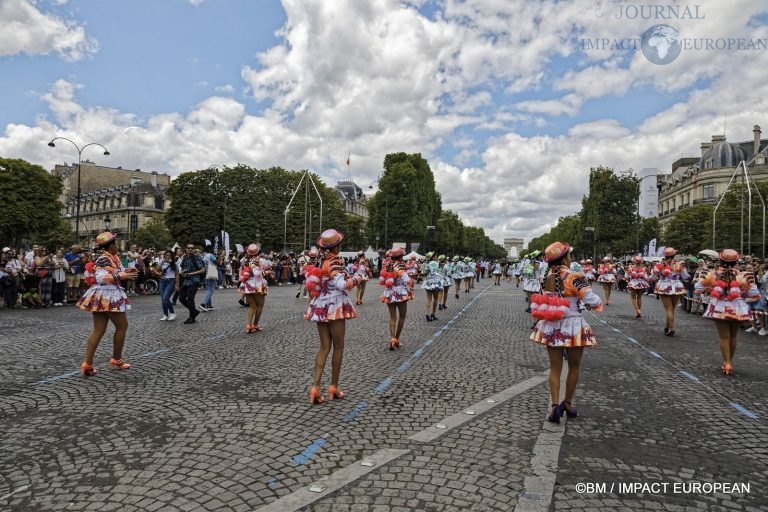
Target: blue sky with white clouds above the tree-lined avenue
(510,101)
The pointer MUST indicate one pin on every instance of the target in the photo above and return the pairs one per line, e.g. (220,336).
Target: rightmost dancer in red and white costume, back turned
(728,290)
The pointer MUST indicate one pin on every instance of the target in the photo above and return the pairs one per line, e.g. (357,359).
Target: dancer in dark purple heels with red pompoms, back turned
(561,326)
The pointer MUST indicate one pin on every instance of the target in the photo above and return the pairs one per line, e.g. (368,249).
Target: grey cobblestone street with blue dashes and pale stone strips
(211,418)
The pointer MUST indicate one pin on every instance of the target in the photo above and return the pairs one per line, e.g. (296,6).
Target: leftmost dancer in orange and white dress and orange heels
(108,302)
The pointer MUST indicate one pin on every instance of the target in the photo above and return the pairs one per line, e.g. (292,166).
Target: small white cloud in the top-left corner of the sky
(28,30)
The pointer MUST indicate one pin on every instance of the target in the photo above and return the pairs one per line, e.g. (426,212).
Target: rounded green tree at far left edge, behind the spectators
(30,196)
